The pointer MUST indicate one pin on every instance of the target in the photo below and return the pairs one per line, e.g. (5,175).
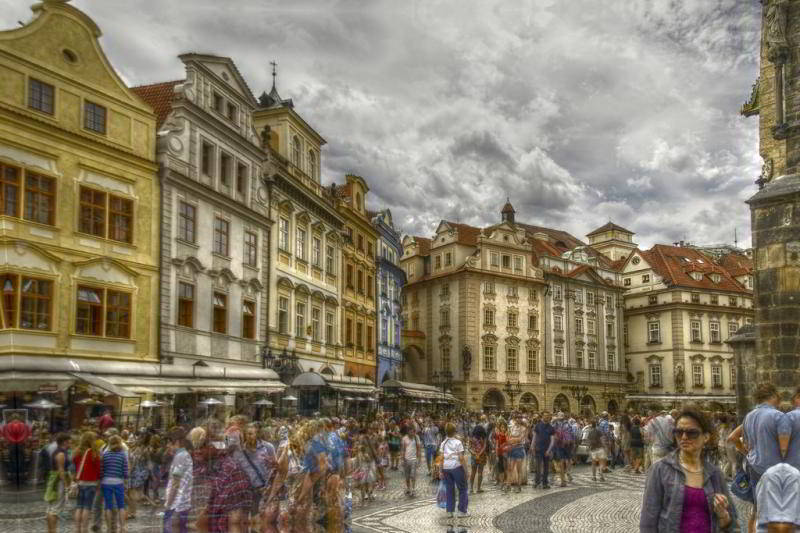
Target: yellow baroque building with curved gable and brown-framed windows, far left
(78,217)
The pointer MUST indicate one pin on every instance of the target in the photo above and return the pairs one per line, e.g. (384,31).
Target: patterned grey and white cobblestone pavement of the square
(584,506)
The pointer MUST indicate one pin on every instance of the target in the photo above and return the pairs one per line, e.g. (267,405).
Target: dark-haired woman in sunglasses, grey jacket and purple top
(685,493)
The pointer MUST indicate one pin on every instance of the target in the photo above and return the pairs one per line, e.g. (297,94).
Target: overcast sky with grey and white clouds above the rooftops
(579,111)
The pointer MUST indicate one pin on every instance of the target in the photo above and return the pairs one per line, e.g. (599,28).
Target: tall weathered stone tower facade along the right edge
(775,208)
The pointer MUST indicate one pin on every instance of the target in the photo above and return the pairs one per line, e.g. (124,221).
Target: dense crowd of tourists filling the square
(307,474)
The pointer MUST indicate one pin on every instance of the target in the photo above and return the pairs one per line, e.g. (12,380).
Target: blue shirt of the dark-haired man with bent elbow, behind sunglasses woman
(761,428)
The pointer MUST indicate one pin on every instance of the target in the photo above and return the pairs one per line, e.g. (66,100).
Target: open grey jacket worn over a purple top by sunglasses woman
(663,497)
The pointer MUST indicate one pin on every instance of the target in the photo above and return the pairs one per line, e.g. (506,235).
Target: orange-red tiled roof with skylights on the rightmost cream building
(674,264)
